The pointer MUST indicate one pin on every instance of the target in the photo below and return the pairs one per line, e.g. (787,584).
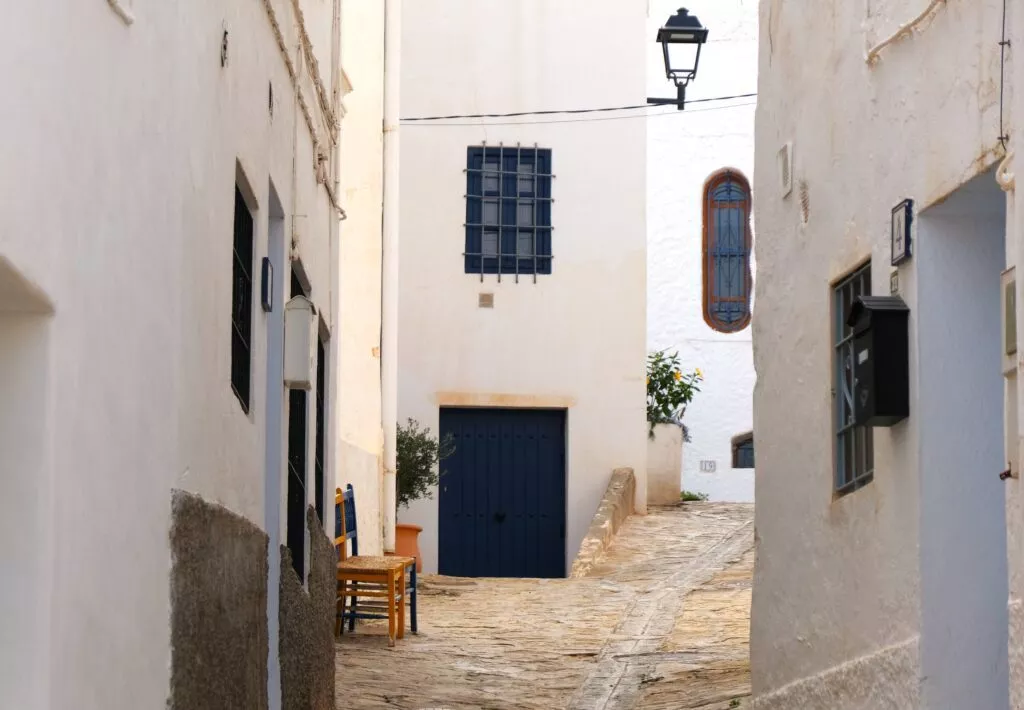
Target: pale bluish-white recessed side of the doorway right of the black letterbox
(963,525)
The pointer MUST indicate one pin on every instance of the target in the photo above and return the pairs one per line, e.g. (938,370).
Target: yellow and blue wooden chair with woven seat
(383,582)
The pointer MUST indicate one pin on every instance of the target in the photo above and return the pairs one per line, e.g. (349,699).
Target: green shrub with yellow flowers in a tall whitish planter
(669,393)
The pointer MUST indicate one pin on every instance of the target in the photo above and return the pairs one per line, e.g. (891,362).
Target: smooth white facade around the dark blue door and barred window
(575,340)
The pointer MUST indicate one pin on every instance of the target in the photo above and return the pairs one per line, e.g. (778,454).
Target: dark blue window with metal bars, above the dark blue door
(508,212)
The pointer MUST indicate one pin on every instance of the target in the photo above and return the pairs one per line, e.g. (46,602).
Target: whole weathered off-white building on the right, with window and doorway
(886,555)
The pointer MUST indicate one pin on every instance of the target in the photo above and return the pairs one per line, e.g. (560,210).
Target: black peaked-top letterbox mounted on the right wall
(881,360)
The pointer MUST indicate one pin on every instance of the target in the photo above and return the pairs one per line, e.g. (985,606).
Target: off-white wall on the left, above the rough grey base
(120,165)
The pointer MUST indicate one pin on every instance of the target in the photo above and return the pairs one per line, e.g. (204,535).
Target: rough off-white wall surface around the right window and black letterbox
(838,586)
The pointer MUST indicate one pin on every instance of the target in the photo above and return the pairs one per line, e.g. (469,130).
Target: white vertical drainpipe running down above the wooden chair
(390,286)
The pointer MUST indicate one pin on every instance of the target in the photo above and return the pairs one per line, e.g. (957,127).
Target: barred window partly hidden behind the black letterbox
(855,444)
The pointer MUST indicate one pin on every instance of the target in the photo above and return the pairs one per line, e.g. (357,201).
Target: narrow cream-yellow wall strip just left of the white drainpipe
(362,153)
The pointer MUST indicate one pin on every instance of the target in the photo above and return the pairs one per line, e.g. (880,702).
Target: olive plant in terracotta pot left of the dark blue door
(418,471)
